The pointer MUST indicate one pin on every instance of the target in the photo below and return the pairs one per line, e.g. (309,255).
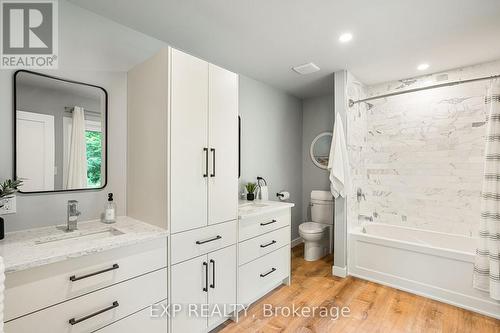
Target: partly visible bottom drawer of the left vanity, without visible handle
(139,322)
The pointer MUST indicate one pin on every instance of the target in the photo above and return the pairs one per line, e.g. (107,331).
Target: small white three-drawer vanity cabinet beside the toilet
(263,252)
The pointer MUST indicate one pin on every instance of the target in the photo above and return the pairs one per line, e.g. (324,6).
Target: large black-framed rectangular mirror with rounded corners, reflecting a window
(60,133)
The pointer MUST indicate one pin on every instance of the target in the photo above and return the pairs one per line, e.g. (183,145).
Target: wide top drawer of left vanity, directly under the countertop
(51,284)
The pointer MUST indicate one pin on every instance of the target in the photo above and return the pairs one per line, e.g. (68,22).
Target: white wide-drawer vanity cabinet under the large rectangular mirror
(87,293)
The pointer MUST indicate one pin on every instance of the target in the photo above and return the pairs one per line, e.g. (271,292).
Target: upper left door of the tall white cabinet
(189,138)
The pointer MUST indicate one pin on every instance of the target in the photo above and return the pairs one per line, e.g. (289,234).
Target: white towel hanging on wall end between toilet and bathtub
(338,162)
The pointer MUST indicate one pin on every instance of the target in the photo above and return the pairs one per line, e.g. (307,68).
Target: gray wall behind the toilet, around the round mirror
(317,118)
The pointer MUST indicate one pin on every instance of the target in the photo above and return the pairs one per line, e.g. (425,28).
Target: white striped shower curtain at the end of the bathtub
(487,263)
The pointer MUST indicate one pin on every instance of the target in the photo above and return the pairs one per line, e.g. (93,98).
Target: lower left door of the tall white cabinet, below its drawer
(189,282)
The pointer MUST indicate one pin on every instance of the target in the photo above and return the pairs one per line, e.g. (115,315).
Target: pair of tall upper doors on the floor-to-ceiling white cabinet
(204,143)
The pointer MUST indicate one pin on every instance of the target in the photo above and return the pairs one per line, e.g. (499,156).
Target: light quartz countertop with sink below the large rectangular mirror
(41,246)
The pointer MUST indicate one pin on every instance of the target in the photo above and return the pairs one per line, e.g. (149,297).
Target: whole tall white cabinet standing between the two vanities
(192,108)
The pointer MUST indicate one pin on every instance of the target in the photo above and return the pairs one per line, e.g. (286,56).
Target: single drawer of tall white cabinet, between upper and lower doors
(193,243)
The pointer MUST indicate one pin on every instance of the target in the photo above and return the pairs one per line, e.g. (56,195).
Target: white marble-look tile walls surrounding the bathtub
(419,157)
